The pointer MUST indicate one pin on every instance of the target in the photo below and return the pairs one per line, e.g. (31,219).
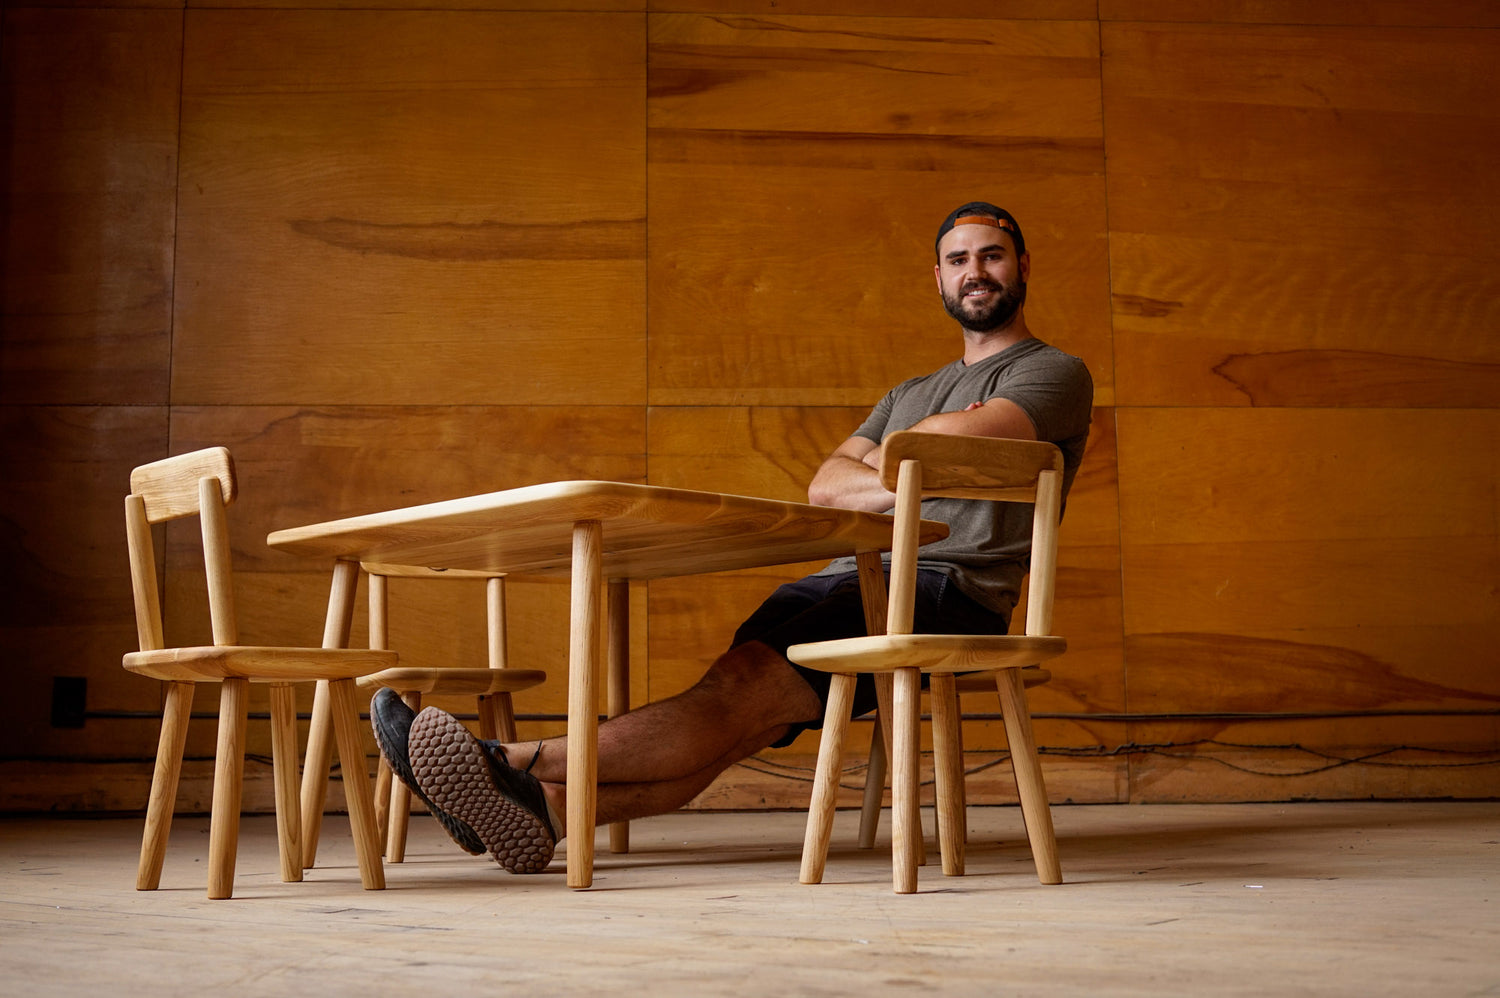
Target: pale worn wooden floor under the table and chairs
(1255,900)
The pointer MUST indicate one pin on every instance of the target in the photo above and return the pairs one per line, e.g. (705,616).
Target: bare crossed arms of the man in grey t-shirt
(850,478)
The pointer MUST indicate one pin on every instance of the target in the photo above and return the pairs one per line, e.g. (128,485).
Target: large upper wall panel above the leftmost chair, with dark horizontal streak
(415,208)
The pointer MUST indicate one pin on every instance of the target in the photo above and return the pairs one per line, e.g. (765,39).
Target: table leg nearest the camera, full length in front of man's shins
(586,648)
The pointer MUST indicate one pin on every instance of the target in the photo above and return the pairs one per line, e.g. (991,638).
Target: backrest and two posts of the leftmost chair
(200,484)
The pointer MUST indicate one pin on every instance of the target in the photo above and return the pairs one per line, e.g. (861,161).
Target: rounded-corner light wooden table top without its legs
(649,532)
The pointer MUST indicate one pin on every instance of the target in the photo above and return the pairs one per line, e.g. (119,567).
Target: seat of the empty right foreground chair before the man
(931,654)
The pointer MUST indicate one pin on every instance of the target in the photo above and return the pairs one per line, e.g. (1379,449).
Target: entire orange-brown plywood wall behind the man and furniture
(392,254)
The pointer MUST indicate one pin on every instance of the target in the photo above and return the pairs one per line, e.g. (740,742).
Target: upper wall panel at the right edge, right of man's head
(1304,217)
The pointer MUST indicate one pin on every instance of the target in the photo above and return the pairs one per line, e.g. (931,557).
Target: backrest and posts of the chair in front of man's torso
(919,466)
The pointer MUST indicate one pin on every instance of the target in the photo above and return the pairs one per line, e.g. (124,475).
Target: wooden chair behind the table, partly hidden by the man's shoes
(491,687)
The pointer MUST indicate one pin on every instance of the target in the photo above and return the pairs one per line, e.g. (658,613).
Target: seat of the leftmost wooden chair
(211,664)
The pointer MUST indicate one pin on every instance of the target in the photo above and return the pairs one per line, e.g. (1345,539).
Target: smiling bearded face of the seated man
(982,280)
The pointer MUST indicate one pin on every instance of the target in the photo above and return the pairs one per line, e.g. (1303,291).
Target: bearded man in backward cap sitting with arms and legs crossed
(656,759)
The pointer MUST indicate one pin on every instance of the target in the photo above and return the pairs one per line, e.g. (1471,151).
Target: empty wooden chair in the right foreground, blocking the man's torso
(917,466)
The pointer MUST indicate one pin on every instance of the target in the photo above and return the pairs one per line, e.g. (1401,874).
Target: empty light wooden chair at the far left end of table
(203,484)
